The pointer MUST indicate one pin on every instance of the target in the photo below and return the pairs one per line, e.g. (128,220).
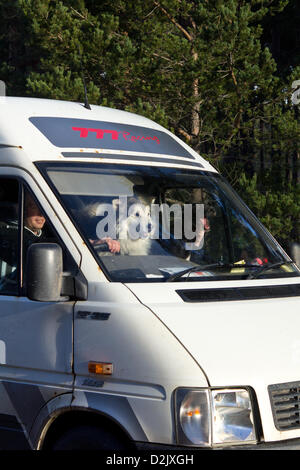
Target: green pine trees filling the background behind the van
(218,73)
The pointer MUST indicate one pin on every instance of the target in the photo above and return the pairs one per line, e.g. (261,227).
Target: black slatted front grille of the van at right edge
(285,402)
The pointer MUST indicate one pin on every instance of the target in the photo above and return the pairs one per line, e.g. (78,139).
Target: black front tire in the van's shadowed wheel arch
(89,437)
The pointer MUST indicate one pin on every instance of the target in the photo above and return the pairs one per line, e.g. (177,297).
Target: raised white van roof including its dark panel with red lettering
(55,130)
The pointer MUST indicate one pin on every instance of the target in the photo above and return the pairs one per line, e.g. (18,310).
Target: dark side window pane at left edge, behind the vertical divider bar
(9,236)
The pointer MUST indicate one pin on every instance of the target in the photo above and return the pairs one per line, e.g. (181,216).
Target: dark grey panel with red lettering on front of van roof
(83,133)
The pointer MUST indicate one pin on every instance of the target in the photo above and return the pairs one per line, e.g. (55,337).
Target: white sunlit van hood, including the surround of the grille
(253,343)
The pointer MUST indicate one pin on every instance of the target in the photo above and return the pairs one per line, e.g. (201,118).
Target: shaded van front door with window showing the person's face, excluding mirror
(35,337)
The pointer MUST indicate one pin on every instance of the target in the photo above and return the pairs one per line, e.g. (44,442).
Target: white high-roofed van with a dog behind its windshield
(187,338)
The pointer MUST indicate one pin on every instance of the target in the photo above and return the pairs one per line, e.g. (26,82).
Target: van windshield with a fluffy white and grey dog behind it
(159,224)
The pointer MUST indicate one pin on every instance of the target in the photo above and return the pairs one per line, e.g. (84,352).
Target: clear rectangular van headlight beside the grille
(212,417)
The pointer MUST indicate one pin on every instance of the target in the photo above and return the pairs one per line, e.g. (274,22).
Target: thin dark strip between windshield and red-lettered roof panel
(130,157)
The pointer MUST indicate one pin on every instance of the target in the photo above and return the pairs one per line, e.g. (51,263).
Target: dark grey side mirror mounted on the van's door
(44,270)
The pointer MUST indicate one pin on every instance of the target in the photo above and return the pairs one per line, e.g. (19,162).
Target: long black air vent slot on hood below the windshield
(238,293)
